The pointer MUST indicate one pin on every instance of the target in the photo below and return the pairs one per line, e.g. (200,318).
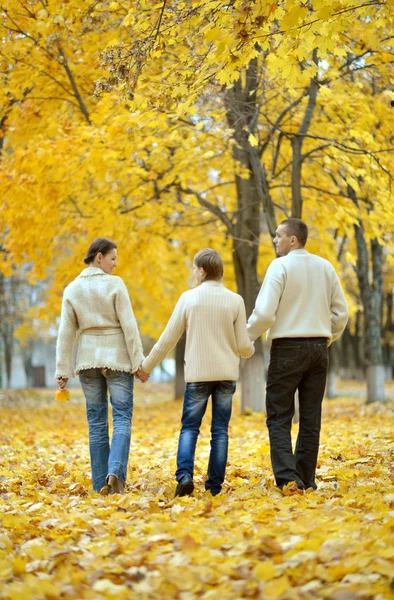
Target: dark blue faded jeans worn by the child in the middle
(194,407)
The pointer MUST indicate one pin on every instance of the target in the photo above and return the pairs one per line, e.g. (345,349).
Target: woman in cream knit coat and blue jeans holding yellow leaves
(97,305)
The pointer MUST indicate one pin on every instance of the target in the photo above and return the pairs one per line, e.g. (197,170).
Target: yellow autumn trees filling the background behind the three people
(215,121)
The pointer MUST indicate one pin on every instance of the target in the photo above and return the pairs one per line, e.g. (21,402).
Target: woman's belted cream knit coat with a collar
(97,306)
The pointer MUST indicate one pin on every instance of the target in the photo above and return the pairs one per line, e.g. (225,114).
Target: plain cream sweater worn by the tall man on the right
(301,296)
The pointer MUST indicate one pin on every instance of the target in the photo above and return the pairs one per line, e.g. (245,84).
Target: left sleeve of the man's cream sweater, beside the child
(267,302)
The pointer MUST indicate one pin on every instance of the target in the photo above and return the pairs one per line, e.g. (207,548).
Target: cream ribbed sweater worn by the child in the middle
(215,321)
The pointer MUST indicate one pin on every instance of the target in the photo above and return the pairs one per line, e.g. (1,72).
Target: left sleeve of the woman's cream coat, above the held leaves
(65,340)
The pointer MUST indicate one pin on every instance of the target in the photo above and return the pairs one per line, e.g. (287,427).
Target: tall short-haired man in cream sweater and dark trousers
(302,305)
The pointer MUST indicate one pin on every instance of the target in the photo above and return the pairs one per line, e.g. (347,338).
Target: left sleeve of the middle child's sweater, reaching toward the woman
(169,338)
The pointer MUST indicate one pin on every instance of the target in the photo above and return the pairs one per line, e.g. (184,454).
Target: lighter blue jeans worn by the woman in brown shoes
(105,459)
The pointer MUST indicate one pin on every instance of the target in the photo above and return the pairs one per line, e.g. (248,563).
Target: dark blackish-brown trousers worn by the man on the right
(296,363)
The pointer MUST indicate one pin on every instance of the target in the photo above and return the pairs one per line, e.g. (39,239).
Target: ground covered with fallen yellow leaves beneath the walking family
(60,540)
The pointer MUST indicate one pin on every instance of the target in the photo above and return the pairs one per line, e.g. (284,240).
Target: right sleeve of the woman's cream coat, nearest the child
(125,314)
